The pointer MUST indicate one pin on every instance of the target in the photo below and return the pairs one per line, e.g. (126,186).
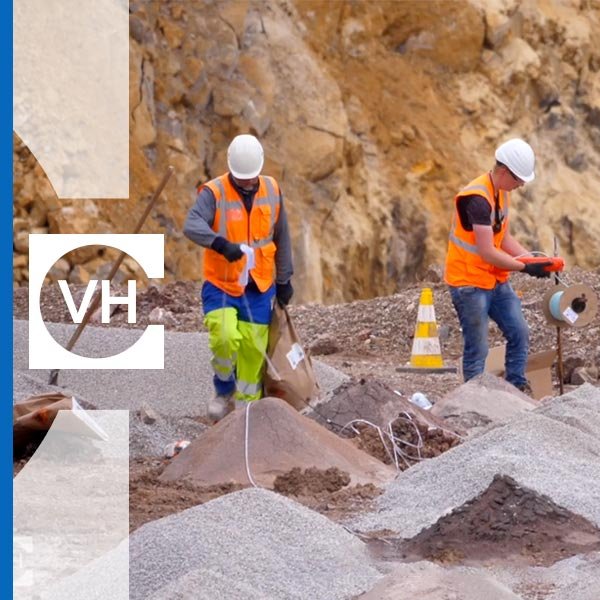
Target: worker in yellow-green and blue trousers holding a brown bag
(240,219)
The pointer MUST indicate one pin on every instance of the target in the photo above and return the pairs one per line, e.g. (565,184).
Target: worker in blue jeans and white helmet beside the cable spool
(481,255)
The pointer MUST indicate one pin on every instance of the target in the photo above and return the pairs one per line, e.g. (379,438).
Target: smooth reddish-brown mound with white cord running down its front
(279,439)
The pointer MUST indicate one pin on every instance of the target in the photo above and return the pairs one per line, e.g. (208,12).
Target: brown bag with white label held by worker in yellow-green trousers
(289,373)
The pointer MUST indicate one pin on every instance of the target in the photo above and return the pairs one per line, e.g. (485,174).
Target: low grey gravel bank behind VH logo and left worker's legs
(181,389)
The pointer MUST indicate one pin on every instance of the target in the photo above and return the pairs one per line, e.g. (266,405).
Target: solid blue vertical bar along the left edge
(6,376)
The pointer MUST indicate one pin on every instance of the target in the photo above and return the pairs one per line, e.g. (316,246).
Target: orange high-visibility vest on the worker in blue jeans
(464,266)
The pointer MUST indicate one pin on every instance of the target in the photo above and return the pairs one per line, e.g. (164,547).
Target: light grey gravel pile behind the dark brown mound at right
(553,450)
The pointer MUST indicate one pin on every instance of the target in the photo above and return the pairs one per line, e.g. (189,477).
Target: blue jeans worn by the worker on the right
(475,306)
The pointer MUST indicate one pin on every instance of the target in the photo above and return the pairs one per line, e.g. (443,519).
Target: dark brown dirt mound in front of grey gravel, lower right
(504,523)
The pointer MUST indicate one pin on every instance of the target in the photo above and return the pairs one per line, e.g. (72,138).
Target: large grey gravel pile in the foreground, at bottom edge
(249,545)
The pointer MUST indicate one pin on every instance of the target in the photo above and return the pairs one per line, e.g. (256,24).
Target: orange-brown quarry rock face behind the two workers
(372,115)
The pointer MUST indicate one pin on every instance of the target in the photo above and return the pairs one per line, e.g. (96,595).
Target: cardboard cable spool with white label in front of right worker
(573,306)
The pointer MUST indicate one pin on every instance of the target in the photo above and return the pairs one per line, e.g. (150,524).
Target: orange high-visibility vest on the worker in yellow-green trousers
(233,222)
